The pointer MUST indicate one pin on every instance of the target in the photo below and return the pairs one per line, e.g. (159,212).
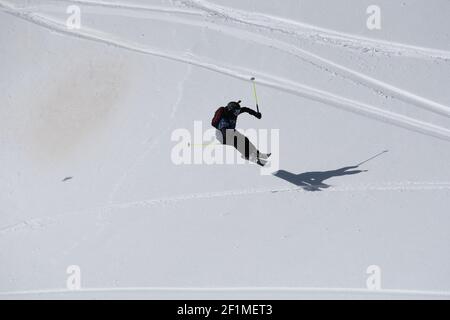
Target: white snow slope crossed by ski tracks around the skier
(87,114)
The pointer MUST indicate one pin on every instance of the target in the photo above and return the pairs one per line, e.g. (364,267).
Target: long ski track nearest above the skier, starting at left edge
(239,73)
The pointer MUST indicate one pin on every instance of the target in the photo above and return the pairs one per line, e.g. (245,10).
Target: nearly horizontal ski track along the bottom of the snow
(260,292)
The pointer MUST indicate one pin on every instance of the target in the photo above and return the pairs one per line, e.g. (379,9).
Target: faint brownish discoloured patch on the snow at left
(76,105)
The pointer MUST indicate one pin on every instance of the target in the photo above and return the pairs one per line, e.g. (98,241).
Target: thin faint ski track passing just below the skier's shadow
(43,222)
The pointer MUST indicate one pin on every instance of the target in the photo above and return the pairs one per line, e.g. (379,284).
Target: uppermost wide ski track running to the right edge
(308,31)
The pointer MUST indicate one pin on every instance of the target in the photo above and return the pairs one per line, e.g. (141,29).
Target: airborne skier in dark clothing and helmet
(225,122)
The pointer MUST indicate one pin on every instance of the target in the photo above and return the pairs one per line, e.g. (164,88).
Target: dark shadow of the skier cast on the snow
(314,181)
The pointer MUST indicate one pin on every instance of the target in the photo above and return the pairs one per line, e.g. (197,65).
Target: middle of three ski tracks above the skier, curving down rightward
(326,65)
